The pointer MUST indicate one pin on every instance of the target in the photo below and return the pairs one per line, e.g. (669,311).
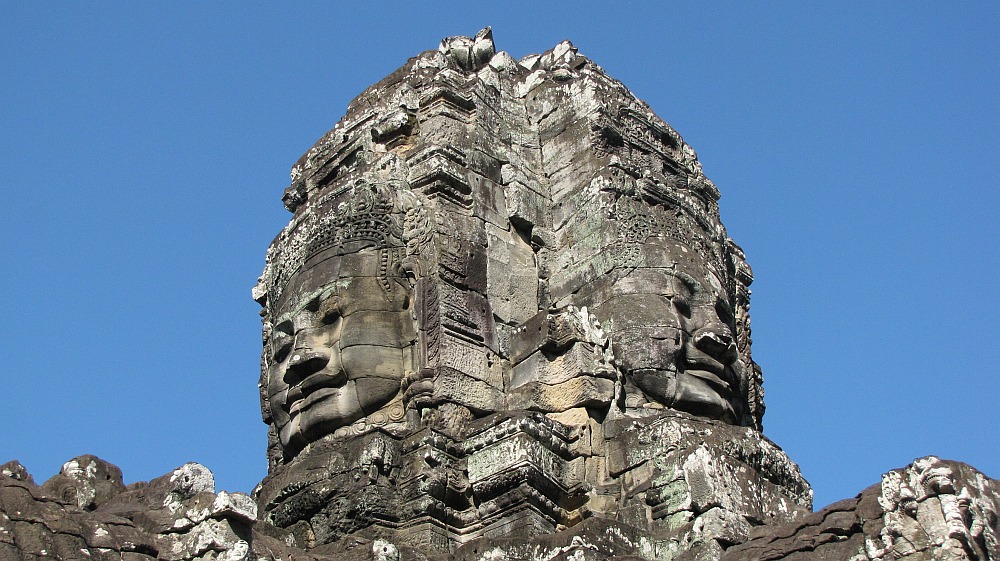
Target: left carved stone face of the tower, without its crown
(341,341)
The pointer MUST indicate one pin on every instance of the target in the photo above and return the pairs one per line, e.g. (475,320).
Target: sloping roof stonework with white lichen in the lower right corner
(931,509)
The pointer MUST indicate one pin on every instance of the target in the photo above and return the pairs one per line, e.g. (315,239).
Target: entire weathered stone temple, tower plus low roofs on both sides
(504,323)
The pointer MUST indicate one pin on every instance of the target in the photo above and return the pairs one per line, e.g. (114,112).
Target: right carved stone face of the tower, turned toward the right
(675,335)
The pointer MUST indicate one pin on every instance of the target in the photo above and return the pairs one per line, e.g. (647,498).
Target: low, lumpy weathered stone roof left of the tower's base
(85,512)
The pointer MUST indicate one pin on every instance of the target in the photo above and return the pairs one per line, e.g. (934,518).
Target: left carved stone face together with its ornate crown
(340,331)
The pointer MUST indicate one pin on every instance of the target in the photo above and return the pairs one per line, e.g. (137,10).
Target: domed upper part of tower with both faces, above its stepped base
(480,235)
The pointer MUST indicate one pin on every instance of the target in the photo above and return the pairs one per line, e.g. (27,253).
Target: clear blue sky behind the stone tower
(146,147)
